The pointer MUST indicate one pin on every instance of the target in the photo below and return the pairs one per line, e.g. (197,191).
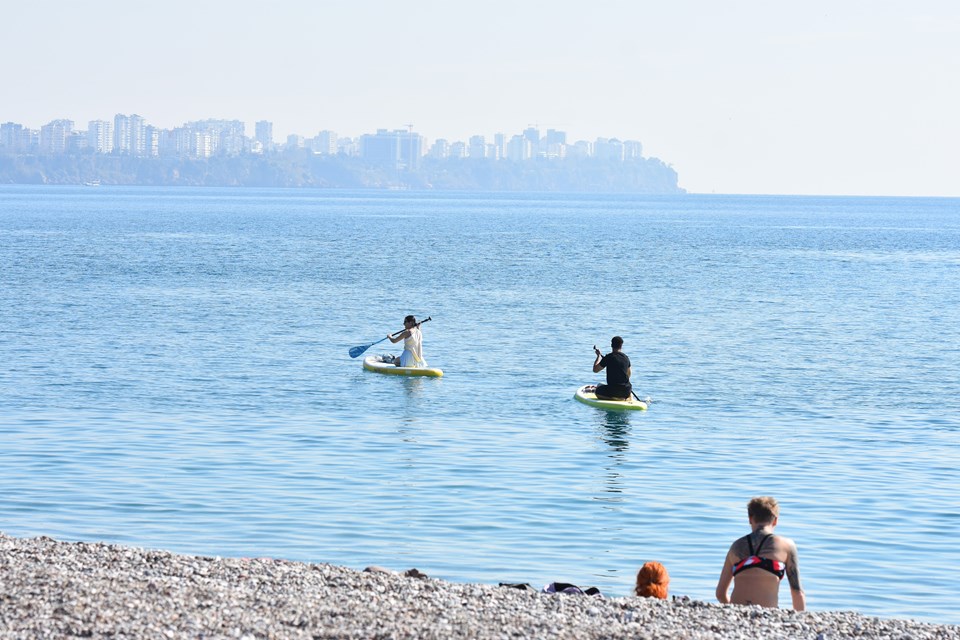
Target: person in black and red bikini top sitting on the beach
(756,563)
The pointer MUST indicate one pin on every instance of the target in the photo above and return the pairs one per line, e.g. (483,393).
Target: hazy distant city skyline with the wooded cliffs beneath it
(130,151)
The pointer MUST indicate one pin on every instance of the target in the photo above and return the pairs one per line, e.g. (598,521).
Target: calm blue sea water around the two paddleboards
(175,375)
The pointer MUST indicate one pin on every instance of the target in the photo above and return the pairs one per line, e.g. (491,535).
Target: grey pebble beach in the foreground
(53,589)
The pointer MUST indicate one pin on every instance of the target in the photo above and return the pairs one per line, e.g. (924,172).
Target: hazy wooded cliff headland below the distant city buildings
(301,168)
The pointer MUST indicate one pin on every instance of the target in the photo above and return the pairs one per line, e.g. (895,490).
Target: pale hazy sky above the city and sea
(822,97)
